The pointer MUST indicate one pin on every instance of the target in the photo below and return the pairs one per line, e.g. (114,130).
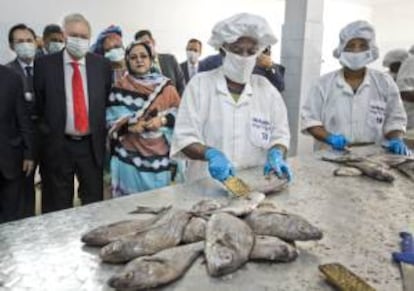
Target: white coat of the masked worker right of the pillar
(374,110)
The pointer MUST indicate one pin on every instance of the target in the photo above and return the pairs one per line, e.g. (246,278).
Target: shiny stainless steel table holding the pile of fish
(360,218)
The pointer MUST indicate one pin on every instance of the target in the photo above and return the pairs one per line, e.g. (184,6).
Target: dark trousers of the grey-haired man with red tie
(78,160)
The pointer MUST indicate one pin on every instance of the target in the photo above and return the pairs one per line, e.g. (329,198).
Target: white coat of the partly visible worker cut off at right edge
(405,82)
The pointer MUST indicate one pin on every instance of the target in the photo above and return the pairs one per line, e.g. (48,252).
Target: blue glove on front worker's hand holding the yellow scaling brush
(219,166)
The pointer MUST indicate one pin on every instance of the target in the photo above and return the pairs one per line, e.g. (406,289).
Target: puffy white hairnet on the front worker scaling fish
(243,24)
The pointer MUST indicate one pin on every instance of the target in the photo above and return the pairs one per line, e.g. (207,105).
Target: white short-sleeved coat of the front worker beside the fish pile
(244,131)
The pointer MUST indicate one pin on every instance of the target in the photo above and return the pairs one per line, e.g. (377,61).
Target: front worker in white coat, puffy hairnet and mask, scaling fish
(229,118)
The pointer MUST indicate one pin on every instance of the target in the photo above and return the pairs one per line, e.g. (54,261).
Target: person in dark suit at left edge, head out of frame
(15,144)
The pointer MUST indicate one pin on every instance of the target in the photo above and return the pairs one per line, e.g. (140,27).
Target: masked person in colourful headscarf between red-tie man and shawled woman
(109,44)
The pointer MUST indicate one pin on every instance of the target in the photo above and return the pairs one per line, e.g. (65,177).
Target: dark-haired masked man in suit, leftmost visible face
(22,40)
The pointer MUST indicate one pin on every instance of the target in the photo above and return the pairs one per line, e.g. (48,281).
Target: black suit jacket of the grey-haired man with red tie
(49,84)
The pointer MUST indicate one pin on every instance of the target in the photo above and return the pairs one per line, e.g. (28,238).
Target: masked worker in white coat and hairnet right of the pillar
(356,104)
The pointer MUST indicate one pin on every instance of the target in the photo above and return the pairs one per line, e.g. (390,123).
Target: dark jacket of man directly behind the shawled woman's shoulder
(171,69)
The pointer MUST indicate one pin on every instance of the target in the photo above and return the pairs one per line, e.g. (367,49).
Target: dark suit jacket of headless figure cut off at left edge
(15,127)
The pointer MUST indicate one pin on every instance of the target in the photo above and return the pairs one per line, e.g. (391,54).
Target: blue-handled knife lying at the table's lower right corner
(406,260)
